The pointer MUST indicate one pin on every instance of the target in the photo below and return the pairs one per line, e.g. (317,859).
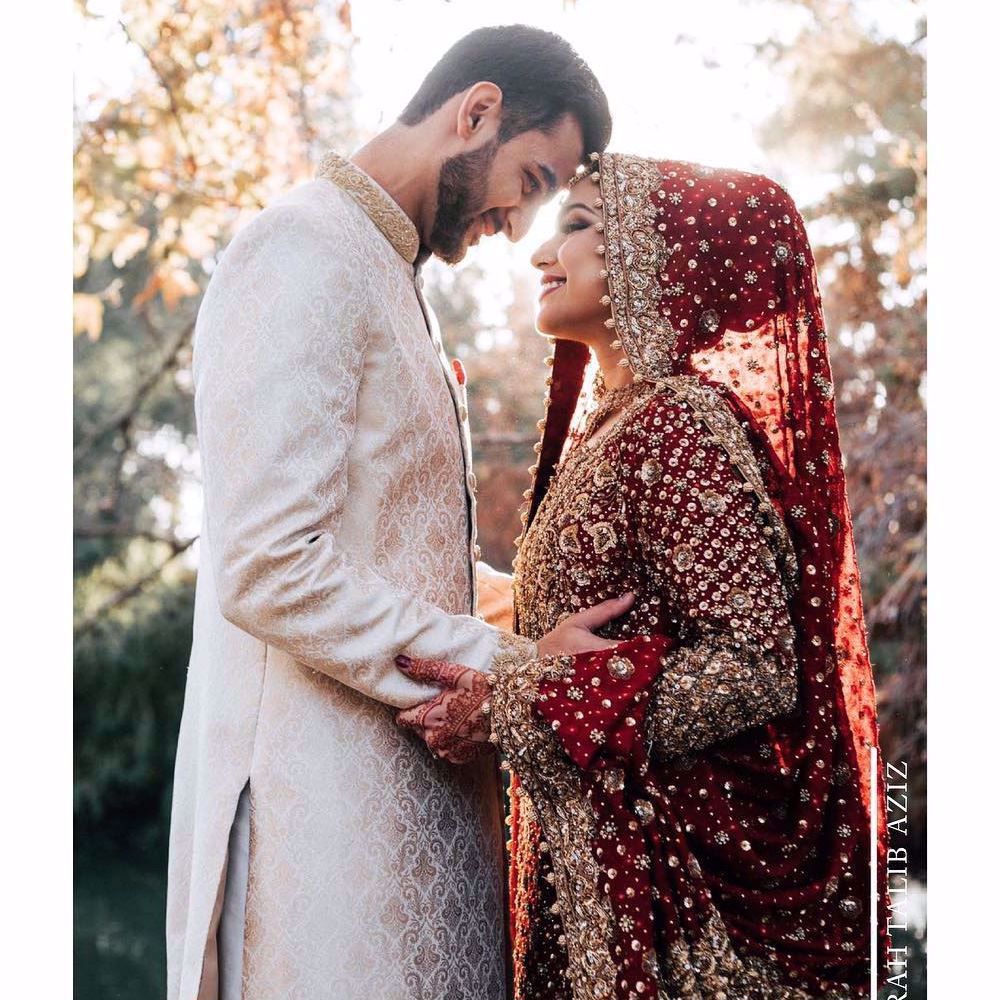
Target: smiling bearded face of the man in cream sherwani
(499,188)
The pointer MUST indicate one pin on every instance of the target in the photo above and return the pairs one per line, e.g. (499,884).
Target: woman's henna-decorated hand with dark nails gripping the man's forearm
(455,724)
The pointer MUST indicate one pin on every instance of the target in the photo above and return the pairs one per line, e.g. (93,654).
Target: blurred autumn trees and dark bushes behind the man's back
(227,104)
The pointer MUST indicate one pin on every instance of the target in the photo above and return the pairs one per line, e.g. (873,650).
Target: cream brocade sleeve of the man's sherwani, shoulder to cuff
(280,353)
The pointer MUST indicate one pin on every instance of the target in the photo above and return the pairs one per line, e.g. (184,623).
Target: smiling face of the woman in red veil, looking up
(570,305)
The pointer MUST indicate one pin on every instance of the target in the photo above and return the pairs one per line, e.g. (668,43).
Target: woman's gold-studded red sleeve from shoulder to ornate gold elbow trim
(711,543)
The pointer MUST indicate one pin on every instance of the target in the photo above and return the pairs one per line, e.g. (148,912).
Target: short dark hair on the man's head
(540,74)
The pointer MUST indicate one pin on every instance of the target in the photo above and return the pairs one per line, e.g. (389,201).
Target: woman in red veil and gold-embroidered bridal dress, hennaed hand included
(690,809)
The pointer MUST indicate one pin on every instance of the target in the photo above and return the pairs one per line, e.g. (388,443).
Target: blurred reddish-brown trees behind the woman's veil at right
(856,110)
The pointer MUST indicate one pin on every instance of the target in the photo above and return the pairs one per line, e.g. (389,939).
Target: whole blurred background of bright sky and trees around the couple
(190,115)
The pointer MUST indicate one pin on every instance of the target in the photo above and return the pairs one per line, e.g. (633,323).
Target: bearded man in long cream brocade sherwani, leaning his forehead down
(314,851)
